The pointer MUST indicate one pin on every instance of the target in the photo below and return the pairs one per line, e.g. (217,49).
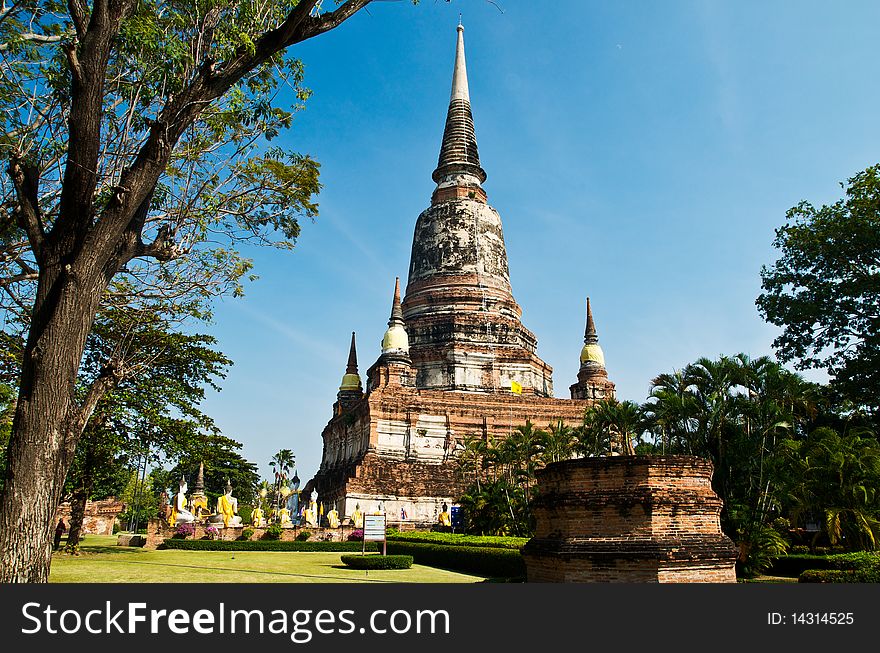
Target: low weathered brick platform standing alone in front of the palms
(629,519)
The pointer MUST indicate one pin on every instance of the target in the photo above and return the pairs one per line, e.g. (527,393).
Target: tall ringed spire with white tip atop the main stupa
(459,162)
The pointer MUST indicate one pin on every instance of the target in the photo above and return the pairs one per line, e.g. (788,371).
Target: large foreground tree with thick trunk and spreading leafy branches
(134,134)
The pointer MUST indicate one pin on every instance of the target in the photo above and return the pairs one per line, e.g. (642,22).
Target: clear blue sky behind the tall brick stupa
(641,153)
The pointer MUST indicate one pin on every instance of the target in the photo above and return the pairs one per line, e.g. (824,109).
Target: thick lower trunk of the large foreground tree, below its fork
(47,423)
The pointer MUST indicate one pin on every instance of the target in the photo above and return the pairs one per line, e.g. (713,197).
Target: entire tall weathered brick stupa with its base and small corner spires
(456,359)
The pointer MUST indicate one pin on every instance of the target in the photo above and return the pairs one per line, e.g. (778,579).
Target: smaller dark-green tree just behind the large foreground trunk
(152,412)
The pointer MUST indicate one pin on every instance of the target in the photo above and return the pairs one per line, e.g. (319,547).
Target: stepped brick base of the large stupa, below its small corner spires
(416,472)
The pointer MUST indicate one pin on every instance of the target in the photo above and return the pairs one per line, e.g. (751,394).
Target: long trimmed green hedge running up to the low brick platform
(481,561)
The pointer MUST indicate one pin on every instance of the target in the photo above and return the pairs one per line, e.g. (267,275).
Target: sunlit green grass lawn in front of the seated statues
(101,561)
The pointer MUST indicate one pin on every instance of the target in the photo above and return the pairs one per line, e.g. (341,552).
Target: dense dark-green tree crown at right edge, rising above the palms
(824,290)
